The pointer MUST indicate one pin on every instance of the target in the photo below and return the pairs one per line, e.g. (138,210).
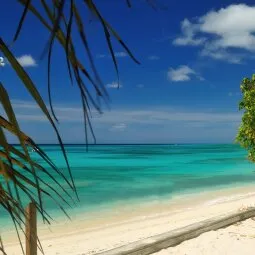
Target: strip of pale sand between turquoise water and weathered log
(104,231)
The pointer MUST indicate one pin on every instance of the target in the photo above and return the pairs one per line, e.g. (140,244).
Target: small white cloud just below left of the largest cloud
(182,73)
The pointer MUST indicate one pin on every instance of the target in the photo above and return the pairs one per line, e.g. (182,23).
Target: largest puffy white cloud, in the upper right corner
(220,32)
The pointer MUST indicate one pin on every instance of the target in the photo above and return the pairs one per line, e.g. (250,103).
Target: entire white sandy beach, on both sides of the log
(112,230)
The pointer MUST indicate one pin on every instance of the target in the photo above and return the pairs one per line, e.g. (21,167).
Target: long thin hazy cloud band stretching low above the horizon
(28,111)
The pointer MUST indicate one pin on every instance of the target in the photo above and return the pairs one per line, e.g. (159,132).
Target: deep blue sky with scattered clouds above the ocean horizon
(193,55)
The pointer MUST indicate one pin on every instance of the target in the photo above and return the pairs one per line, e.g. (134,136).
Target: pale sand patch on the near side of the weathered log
(236,239)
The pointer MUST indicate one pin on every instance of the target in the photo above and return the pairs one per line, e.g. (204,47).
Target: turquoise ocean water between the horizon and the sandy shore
(108,175)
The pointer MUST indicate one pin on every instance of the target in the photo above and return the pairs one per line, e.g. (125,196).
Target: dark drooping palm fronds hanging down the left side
(18,170)
